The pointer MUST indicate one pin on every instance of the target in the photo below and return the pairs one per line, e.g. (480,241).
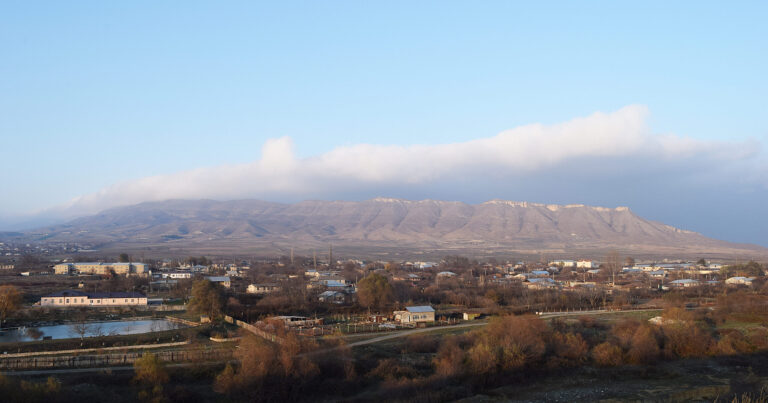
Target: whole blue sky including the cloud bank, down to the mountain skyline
(658,106)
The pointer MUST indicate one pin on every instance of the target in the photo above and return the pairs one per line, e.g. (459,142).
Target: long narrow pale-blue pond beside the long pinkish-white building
(87,329)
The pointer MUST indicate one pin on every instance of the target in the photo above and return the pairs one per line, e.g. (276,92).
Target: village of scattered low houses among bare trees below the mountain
(453,289)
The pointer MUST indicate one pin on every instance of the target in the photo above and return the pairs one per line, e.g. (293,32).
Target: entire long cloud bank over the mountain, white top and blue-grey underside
(604,158)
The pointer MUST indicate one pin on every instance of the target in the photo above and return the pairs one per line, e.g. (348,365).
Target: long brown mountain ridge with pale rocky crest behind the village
(386,223)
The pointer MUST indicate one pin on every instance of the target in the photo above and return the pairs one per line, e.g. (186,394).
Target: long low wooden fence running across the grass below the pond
(112,359)
